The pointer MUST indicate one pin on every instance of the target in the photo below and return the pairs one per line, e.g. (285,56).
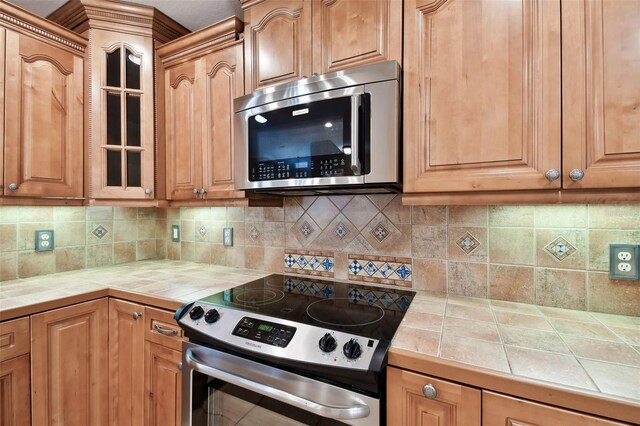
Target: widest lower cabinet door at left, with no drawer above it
(69,364)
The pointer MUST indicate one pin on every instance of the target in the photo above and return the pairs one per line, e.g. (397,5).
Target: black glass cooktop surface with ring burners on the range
(354,308)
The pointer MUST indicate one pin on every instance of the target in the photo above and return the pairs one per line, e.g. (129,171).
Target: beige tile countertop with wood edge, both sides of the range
(569,358)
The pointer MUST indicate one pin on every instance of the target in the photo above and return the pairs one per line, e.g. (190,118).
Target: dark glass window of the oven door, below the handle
(232,405)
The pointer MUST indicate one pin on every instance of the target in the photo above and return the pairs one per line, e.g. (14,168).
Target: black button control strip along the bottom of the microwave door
(296,168)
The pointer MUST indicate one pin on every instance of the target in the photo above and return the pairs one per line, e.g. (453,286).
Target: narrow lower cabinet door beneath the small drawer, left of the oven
(163,386)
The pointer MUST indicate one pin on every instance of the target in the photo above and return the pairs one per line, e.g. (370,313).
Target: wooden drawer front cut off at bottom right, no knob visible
(501,410)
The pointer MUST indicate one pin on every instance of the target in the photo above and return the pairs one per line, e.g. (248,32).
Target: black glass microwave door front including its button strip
(301,141)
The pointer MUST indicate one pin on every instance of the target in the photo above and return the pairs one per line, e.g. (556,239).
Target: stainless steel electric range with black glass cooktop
(289,350)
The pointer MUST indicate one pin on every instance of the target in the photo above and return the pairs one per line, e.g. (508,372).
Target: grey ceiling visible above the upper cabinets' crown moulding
(193,14)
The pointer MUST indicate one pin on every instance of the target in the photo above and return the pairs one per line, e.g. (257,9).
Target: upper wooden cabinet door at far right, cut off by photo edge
(601,93)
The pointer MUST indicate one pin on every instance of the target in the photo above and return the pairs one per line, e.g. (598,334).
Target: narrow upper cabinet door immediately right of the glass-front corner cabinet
(183,131)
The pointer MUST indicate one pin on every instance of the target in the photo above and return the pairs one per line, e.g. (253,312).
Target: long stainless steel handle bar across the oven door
(356,411)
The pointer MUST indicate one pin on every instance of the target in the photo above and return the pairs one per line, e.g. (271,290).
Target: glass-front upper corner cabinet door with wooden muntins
(123,147)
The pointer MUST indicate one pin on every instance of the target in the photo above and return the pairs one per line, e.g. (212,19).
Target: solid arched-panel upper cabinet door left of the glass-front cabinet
(44,132)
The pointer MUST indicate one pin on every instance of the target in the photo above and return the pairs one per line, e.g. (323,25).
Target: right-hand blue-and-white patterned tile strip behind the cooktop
(380,269)
